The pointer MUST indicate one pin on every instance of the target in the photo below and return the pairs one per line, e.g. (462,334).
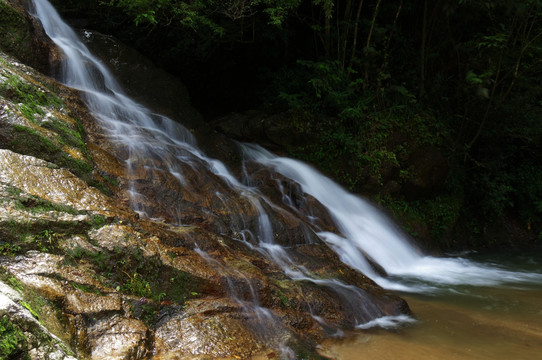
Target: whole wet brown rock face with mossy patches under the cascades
(82,276)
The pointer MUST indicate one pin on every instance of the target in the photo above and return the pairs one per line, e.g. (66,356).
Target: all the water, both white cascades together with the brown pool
(464,308)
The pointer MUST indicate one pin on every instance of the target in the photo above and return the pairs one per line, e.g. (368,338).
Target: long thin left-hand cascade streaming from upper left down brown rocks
(153,140)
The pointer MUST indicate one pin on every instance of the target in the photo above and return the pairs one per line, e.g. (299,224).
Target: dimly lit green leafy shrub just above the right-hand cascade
(351,129)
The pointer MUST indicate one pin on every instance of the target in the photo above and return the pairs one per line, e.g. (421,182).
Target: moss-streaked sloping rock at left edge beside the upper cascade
(53,126)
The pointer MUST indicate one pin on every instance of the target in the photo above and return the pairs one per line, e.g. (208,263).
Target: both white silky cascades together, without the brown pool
(365,236)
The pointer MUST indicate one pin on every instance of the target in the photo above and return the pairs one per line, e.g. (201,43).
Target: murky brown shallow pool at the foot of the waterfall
(494,324)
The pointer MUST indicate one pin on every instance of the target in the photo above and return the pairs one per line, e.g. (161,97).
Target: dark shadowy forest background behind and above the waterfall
(431,108)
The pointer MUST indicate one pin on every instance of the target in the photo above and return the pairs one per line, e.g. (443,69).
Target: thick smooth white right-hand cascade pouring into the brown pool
(366,233)
